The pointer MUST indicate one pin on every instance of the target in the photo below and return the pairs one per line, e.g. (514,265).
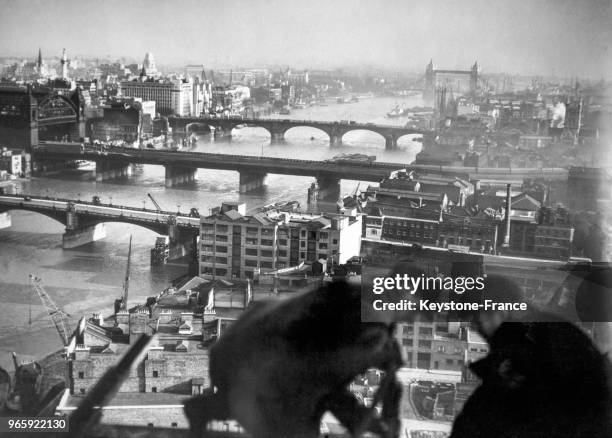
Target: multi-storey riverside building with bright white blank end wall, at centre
(236,245)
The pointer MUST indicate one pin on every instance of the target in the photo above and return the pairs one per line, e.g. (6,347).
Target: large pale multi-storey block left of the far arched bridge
(170,96)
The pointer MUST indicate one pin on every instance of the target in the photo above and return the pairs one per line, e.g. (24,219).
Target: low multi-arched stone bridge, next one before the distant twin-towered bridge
(277,128)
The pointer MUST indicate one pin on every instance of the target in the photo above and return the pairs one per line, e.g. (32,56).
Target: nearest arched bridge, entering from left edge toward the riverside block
(85,221)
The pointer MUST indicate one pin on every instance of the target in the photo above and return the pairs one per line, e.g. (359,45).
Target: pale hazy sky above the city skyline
(567,37)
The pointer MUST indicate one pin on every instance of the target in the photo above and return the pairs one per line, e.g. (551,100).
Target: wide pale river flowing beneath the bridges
(89,278)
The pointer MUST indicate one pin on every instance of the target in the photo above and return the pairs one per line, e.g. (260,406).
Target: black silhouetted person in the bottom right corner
(540,379)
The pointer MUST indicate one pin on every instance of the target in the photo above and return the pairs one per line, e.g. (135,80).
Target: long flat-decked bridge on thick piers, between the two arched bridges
(182,166)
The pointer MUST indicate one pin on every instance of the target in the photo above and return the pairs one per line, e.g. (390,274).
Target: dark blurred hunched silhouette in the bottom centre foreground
(283,364)
